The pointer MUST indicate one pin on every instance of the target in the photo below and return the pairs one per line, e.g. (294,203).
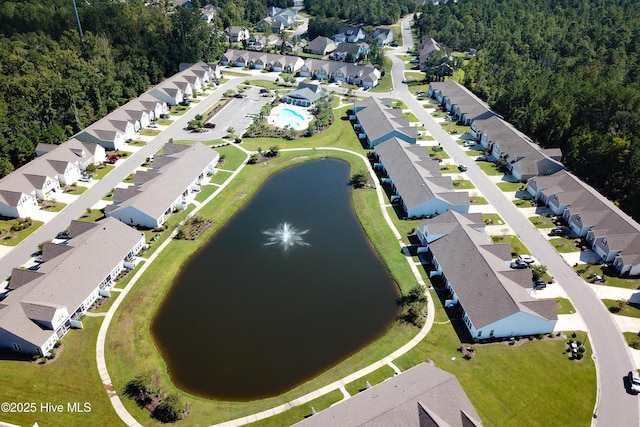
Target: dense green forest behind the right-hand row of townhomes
(565,72)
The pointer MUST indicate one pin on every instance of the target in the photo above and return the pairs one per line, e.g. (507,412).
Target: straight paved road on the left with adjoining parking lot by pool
(235,116)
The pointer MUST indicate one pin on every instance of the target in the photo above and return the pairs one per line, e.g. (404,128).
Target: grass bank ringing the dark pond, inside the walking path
(141,353)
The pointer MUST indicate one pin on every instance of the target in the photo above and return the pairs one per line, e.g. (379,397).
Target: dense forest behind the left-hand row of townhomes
(54,83)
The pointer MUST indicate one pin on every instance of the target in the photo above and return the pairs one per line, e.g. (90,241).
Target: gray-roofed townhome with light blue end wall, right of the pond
(492,299)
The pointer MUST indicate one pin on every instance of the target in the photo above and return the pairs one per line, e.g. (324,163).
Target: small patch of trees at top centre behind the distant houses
(361,12)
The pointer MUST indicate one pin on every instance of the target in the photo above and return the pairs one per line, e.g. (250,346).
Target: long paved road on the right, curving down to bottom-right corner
(615,407)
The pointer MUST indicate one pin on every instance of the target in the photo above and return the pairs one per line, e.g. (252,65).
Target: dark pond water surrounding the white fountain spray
(246,320)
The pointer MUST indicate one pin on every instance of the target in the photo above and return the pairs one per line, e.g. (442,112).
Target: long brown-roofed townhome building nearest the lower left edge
(40,306)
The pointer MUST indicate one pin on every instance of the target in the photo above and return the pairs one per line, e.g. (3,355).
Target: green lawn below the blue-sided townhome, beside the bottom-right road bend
(558,391)
